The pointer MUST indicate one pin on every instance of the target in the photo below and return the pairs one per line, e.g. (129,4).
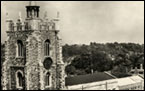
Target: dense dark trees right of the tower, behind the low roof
(115,57)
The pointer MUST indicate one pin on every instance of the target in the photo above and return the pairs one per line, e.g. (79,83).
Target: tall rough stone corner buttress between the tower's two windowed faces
(32,66)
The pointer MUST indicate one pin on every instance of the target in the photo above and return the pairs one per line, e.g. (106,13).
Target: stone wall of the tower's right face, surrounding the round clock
(43,36)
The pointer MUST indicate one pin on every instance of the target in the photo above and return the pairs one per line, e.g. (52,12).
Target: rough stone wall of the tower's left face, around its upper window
(11,60)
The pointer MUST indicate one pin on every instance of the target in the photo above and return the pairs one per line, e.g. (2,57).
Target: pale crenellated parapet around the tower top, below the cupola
(31,25)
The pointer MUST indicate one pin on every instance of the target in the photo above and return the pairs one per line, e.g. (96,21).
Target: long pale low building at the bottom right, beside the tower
(127,83)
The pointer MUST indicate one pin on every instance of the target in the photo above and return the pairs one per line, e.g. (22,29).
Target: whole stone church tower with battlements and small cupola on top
(33,56)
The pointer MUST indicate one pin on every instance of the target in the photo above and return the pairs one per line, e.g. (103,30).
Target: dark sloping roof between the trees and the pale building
(98,76)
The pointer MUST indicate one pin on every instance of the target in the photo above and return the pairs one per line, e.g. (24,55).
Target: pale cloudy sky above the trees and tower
(82,22)
